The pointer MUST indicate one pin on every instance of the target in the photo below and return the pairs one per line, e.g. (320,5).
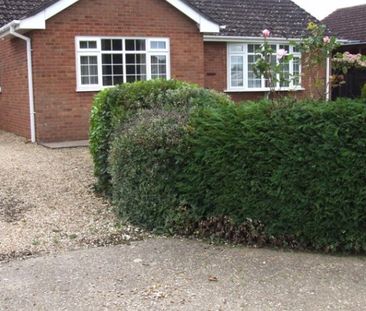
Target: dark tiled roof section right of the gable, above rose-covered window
(248,18)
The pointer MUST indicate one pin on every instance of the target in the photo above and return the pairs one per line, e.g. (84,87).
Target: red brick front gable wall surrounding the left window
(63,113)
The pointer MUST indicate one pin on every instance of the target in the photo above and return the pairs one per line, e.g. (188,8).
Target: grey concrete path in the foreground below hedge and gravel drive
(172,274)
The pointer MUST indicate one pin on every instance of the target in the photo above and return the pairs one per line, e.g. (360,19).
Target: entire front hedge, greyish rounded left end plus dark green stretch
(278,173)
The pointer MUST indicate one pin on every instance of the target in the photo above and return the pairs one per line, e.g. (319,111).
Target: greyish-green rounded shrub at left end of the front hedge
(144,168)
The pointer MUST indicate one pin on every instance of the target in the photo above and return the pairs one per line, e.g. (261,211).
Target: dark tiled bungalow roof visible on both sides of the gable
(242,18)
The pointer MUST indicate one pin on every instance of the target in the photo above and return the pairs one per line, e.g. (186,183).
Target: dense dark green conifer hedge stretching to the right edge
(298,168)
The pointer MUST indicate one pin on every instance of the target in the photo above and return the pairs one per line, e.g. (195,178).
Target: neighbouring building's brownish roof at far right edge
(348,23)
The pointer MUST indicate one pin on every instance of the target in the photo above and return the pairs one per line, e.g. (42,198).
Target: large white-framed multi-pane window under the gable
(105,62)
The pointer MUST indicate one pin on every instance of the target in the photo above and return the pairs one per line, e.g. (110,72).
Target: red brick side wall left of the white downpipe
(14,109)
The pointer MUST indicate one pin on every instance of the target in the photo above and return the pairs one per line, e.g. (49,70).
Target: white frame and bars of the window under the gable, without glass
(98,52)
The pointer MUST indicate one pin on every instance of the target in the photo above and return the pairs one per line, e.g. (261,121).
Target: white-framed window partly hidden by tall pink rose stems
(241,75)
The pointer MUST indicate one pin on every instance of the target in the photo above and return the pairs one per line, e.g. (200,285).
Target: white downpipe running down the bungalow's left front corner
(11,29)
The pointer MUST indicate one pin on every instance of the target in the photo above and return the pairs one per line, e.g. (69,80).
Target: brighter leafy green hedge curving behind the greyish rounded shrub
(113,107)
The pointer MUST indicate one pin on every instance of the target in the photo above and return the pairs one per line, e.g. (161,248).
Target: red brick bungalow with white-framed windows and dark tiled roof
(55,55)
